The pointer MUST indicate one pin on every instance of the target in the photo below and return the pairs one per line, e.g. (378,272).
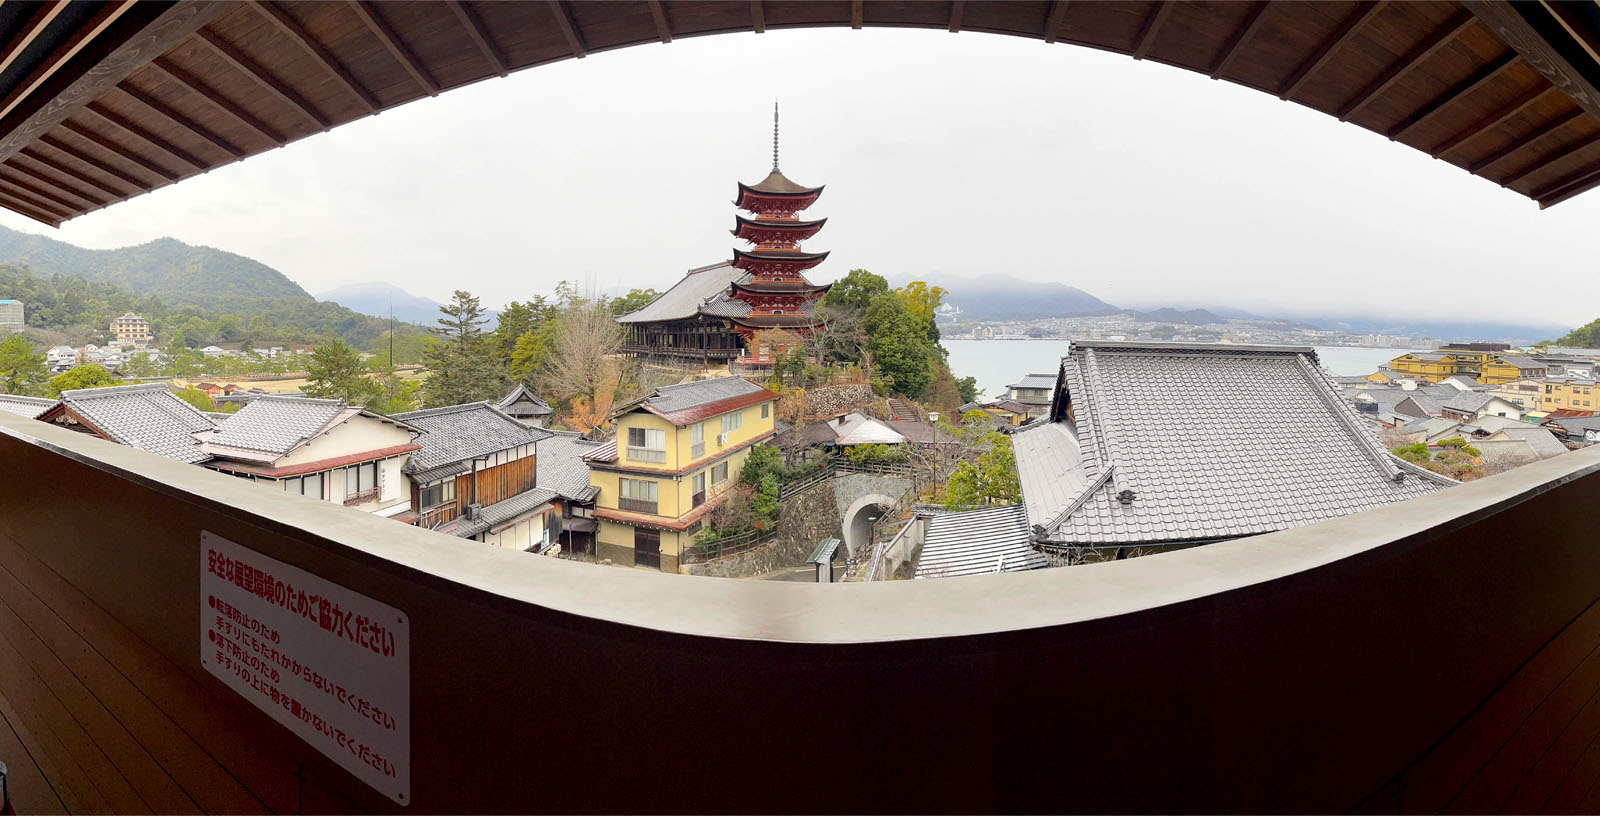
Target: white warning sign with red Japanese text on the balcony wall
(327,663)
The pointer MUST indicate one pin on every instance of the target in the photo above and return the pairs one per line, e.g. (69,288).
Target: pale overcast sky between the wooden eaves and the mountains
(945,156)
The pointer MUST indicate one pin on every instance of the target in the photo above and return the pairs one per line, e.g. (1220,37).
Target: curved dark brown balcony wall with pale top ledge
(1302,668)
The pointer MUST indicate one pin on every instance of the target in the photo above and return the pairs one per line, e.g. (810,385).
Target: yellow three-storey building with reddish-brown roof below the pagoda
(678,455)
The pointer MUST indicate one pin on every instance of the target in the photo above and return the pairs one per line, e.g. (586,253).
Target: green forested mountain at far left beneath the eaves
(170,270)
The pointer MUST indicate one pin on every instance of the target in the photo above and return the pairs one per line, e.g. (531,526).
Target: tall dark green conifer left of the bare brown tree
(465,366)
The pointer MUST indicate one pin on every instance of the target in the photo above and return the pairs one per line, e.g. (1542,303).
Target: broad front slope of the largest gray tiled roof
(1215,442)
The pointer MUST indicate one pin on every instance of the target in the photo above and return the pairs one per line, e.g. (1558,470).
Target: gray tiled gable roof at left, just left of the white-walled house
(145,417)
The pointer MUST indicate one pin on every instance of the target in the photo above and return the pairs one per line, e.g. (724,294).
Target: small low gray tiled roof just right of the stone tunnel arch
(993,540)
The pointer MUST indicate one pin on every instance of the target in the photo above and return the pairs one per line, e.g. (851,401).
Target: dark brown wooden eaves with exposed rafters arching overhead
(105,102)
